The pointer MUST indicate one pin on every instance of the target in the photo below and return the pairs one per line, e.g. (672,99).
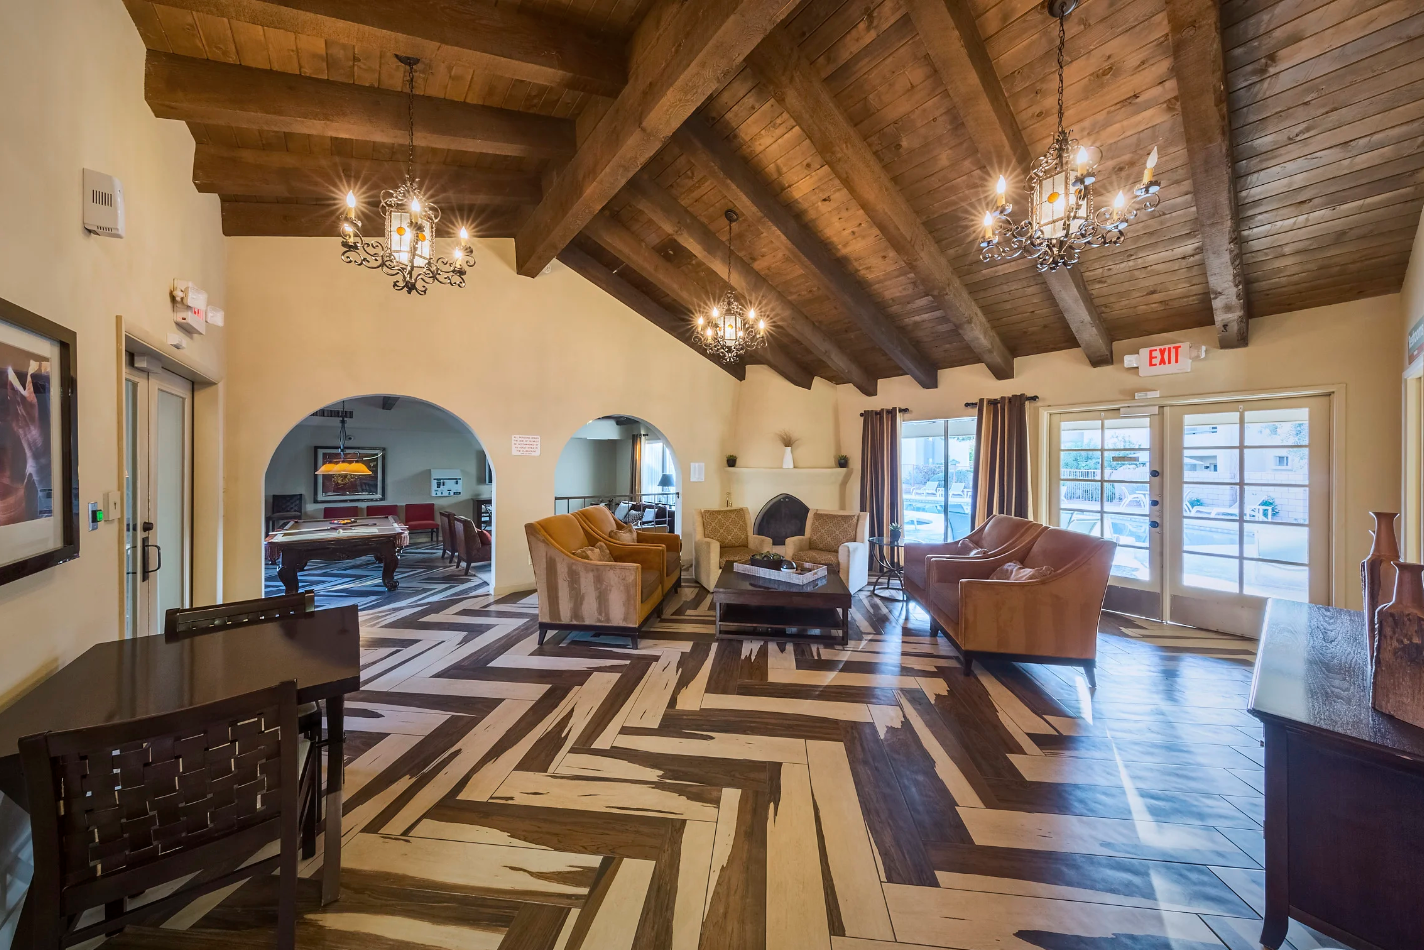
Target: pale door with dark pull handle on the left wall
(157,498)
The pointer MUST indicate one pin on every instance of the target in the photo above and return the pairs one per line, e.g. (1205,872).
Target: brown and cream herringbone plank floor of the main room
(763,795)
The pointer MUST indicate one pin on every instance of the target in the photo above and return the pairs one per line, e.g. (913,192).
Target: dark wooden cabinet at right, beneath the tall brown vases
(1345,787)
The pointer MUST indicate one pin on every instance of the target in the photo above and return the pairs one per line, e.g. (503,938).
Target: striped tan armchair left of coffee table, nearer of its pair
(580,595)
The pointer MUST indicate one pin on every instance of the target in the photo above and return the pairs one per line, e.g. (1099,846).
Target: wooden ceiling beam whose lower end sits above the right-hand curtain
(802,93)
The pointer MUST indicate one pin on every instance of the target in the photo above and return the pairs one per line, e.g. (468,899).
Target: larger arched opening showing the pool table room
(379,501)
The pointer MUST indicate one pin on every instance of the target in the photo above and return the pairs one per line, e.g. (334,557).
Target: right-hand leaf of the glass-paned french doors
(1248,509)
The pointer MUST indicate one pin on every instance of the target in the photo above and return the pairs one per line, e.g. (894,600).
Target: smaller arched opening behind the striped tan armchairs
(624,464)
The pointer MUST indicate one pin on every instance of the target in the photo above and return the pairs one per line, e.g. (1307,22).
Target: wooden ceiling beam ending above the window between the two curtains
(740,182)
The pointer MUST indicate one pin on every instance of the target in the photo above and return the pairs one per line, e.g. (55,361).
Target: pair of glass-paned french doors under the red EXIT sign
(1215,506)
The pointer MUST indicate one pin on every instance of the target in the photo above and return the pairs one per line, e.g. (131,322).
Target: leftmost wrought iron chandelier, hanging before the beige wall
(407,250)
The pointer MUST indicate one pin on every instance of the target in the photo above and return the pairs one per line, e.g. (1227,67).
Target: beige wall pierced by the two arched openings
(508,355)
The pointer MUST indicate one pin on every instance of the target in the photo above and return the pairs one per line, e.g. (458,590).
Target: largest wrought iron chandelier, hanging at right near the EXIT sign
(1063,213)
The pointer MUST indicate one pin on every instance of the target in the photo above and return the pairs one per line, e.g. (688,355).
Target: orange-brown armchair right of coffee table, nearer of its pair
(1050,620)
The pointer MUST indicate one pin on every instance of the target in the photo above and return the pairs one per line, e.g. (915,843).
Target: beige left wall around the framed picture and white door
(73,79)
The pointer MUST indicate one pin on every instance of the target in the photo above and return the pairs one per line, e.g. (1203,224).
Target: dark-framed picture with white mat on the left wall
(39,454)
